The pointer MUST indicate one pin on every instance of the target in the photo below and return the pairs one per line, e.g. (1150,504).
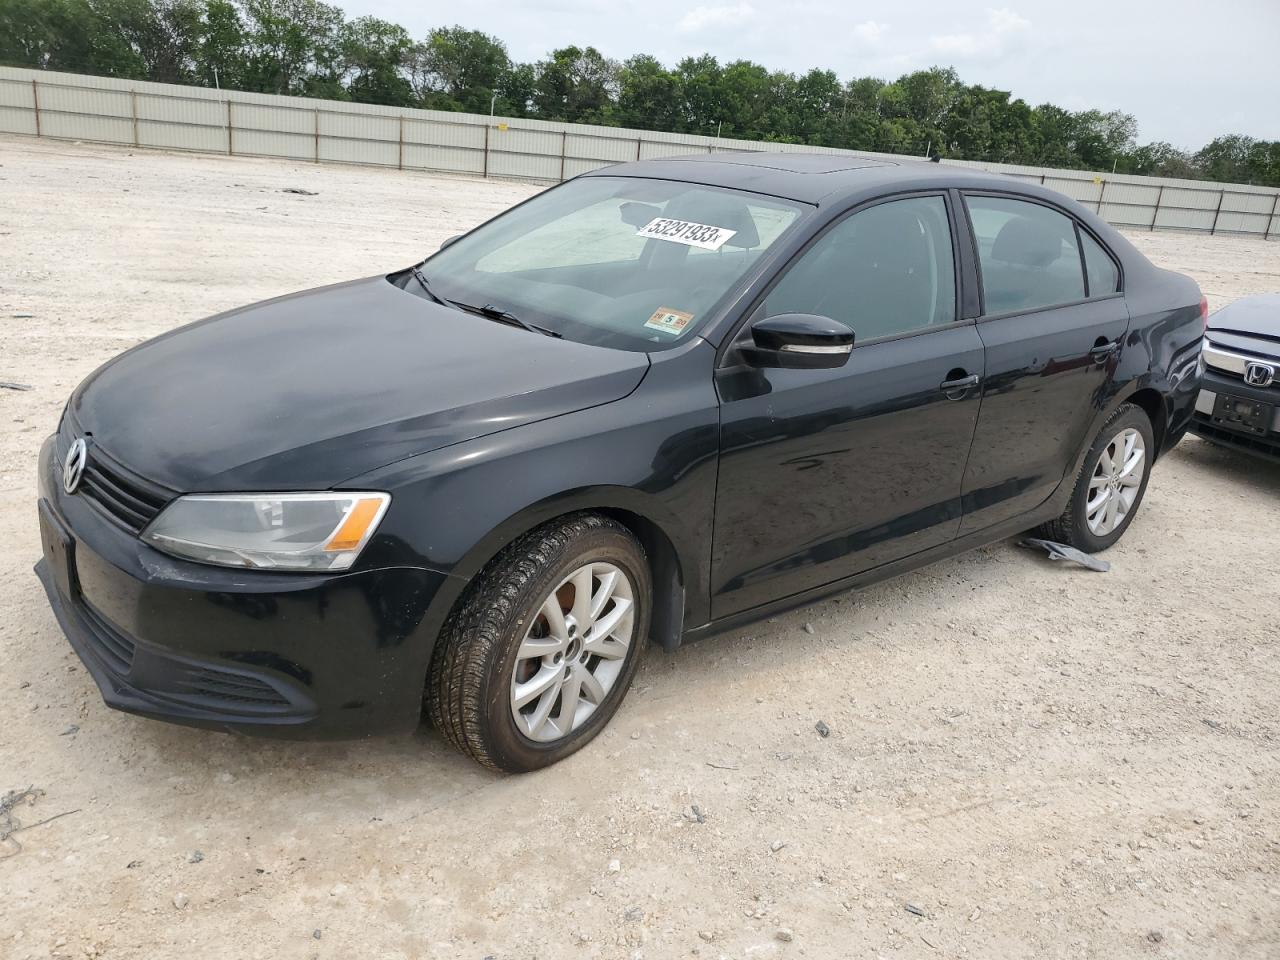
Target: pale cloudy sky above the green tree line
(1188,71)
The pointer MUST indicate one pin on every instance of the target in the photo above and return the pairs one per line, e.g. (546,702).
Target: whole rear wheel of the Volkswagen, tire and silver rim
(1078,525)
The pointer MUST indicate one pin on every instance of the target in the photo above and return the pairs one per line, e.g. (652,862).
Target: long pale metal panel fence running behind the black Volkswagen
(170,117)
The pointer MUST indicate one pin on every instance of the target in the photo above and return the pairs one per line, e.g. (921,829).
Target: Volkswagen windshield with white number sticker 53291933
(616,262)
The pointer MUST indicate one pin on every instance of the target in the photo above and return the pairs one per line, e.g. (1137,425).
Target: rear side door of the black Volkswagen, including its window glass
(1054,324)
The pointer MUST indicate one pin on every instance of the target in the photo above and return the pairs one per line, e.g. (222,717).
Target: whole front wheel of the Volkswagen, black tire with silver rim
(483,661)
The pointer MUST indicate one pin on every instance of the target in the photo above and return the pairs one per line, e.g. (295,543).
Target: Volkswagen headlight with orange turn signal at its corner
(269,532)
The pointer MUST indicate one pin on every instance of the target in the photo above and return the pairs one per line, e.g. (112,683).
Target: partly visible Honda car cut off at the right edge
(1240,399)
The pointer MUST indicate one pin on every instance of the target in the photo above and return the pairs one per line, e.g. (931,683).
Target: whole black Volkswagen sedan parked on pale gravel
(652,404)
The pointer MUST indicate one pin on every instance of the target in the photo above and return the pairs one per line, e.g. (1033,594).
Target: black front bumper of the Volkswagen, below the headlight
(285,655)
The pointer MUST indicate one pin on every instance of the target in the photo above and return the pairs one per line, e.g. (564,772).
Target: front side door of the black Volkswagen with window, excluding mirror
(829,473)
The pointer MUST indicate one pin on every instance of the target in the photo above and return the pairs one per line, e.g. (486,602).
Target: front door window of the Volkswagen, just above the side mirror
(884,272)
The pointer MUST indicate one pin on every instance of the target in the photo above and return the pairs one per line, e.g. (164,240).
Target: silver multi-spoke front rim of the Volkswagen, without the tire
(574,652)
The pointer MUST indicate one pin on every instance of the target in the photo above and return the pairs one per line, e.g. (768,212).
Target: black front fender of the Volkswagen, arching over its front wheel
(652,456)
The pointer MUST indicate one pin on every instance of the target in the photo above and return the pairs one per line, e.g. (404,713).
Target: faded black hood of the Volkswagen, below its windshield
(312,390)
